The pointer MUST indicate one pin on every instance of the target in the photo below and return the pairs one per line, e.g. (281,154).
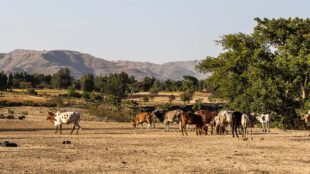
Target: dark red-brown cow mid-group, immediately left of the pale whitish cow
(207,118)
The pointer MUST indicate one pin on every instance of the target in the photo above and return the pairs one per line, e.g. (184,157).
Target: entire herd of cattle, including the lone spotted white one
(219,122)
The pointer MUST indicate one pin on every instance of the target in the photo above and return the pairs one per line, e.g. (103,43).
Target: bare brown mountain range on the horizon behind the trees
(49,62)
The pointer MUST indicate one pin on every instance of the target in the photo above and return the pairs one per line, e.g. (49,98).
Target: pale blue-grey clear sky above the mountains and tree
(156,31)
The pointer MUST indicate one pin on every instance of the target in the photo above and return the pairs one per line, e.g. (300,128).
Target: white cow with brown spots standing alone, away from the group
(60,118)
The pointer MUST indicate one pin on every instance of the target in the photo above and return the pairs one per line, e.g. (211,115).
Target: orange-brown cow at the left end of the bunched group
(143,117)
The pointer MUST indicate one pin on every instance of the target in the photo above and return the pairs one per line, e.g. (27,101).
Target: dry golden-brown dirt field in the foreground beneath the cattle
(108,147)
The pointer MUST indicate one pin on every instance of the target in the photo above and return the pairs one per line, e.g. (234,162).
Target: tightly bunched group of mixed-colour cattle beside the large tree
(218,122)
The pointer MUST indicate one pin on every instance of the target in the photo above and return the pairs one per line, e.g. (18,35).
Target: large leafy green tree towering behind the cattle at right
(267,71)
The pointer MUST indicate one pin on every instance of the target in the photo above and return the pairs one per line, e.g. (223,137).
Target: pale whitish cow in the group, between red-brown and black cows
(225,121)
